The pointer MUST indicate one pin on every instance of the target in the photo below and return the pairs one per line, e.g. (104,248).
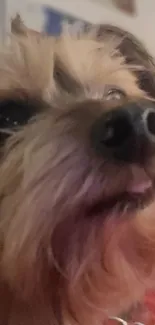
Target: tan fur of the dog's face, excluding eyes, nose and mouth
(58,264)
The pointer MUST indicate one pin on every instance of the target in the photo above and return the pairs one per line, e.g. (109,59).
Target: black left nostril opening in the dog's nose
(116,130)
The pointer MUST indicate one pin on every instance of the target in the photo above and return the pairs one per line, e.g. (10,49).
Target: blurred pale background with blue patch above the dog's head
(137,16)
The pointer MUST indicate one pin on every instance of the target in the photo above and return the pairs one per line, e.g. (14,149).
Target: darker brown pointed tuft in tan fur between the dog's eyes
(64,80)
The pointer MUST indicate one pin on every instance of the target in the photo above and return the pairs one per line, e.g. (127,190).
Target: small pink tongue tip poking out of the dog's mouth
(140,182)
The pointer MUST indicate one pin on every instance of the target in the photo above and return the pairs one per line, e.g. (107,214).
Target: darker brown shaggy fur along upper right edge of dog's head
(134,52)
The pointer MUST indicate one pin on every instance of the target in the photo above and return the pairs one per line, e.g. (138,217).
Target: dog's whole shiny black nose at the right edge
(126,133)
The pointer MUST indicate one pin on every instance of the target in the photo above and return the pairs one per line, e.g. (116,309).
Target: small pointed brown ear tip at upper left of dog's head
(18,28)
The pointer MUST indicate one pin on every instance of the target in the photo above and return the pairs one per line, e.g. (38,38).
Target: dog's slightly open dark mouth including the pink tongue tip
(138,193)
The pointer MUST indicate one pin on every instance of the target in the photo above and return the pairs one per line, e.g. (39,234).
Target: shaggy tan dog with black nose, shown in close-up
(77,225)
